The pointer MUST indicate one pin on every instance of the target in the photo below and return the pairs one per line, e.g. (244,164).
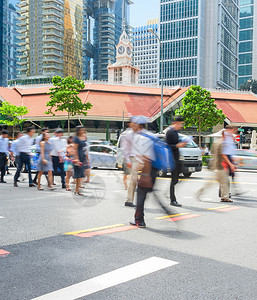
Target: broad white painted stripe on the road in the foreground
(110,279)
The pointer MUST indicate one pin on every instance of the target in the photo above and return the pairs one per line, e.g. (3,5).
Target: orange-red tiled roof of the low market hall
(111,101)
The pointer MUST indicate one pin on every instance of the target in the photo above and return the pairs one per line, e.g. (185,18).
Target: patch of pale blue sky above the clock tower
(142,10)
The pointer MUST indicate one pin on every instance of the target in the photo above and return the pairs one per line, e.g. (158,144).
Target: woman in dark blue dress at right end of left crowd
(79,141)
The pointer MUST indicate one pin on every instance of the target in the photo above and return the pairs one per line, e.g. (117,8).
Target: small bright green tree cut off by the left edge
(13,115)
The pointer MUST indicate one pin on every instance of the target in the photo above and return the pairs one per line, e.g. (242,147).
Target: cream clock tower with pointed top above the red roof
(122,71)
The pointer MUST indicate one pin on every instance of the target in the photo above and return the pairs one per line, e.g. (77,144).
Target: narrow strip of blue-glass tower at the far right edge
(247,41)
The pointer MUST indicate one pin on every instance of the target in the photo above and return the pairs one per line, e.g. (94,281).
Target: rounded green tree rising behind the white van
(200,110)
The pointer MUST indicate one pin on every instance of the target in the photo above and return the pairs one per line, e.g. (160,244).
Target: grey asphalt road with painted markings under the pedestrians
(52,240)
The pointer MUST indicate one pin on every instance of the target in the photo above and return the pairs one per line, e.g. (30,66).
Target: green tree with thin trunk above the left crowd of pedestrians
(64,97)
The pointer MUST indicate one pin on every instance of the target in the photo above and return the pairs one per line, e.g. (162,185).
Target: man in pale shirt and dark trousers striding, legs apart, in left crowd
(24,148)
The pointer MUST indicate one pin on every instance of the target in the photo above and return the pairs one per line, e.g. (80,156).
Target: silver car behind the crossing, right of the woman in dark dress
(102,156)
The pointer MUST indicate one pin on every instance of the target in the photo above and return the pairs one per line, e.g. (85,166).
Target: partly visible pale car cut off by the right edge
(246,159)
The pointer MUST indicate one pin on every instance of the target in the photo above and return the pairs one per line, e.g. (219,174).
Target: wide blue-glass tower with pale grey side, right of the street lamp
(200,42)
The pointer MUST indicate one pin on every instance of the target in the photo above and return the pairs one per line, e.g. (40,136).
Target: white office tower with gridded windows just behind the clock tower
(146,52)
